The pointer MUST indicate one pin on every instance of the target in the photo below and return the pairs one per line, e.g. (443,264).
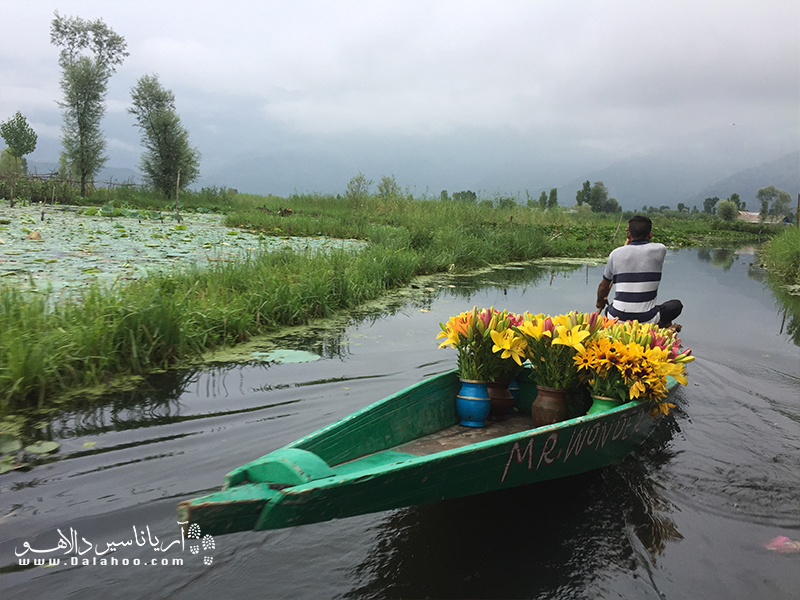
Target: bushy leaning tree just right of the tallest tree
(168,163)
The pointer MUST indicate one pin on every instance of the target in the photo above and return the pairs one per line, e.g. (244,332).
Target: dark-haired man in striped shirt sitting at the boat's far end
(635,271)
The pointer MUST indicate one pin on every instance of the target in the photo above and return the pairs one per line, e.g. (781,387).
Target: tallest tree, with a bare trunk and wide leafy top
(90,54)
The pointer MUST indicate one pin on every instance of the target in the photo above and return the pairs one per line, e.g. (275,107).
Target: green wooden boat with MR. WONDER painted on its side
(409,449)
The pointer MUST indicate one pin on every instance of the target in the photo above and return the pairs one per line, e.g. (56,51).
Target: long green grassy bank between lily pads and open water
(172,317)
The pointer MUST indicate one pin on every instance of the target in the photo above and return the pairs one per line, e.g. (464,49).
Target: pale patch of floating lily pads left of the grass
(76,248)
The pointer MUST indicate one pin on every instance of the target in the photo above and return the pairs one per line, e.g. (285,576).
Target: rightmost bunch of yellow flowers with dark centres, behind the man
(631,360)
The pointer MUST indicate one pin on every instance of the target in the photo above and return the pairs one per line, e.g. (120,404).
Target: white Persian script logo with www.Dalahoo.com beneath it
(86,553)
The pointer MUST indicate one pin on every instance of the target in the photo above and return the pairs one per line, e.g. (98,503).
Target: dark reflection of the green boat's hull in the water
(550,540)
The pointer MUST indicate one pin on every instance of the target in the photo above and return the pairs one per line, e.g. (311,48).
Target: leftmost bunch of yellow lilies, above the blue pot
(488,347)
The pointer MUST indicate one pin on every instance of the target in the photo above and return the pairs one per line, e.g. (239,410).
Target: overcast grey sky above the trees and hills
(454,95)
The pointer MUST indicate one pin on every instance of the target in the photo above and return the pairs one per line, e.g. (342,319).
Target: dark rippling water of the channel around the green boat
(686,516)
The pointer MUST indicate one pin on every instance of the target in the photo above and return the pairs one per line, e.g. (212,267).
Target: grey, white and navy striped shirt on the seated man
(635,271)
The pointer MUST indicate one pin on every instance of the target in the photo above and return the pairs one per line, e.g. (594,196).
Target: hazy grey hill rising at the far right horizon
(783,173)
